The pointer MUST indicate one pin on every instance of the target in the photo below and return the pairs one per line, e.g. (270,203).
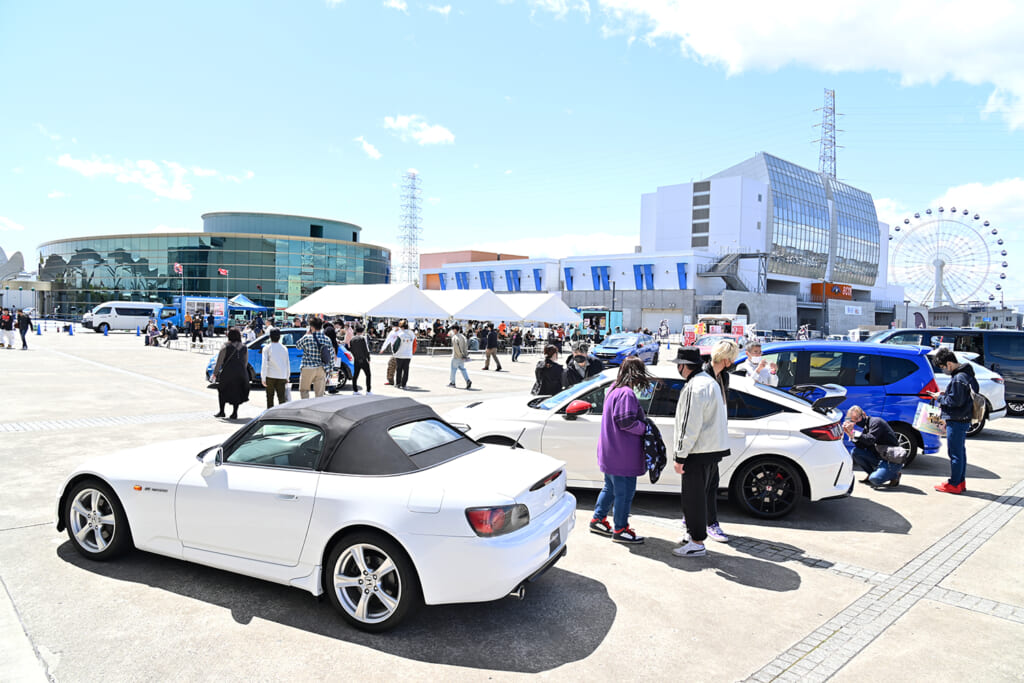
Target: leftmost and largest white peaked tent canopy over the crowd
(376,301)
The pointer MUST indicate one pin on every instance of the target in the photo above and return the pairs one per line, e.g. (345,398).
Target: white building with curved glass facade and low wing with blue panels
(763,238)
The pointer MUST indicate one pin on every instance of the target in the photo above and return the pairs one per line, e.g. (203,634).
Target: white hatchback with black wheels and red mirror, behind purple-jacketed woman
(784,448)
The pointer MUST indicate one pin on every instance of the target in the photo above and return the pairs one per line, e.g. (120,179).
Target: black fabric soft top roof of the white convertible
(356,439)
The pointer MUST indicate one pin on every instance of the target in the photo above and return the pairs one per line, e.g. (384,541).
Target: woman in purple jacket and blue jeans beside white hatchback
(620,452)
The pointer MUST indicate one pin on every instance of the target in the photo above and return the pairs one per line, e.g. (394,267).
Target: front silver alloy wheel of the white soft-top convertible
(97,523)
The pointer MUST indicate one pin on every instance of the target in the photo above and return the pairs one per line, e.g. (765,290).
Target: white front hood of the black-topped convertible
(164,462)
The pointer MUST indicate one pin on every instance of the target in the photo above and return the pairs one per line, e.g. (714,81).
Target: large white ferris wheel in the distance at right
(948,258)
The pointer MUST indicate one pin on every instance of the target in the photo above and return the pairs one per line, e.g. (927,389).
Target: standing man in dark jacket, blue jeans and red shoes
(957,407)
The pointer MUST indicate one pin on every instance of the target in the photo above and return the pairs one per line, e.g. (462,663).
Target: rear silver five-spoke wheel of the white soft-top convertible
(372,582)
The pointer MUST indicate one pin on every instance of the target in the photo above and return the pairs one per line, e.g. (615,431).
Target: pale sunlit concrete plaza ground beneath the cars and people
(904,584)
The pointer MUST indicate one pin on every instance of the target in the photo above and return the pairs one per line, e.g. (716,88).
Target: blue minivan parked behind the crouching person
(886,380)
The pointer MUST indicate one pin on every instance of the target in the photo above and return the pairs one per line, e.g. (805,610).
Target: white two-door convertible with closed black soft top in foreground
(375,501)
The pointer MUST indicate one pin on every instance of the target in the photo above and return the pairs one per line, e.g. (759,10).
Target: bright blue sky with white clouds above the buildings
(535,125)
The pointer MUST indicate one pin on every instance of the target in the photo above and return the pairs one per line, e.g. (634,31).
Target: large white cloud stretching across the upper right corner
(922,42)
